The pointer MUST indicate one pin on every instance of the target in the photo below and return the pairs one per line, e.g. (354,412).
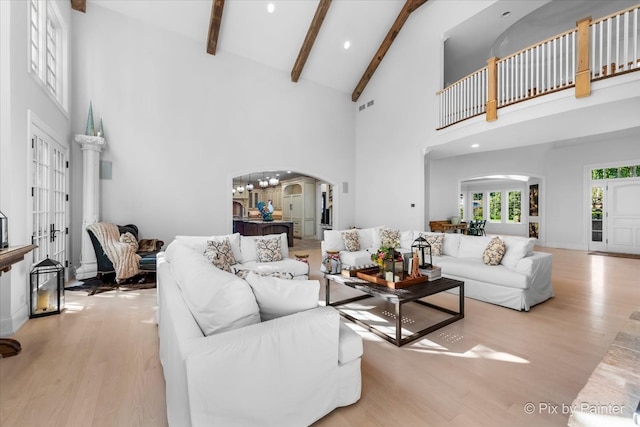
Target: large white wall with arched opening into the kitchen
(180,124)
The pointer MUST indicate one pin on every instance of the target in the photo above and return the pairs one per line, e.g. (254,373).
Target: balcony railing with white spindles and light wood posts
(575,58)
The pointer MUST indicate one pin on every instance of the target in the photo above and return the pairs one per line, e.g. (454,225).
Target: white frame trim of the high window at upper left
(62,72)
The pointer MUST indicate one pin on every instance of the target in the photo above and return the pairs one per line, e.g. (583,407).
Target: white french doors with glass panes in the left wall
(49,210)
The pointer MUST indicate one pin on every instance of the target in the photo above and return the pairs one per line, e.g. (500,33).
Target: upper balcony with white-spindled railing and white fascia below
(579,83)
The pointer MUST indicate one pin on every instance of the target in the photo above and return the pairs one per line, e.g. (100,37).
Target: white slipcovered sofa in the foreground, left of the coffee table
(255,352)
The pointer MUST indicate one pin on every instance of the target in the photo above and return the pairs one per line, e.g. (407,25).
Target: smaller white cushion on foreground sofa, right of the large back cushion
(280,297)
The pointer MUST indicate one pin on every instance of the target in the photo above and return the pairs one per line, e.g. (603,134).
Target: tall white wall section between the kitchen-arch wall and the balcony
(391,135)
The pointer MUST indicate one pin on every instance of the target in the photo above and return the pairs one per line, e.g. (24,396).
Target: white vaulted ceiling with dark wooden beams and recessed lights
(307,38)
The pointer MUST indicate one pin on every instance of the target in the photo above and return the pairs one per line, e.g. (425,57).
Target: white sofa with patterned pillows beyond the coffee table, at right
(520,281)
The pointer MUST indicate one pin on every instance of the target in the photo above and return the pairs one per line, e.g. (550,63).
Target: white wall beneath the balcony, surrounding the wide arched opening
(560,168)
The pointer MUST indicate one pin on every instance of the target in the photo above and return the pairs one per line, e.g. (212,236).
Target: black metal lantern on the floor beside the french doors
(47,288)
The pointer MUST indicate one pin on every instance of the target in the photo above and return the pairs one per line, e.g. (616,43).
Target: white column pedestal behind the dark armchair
(91,148)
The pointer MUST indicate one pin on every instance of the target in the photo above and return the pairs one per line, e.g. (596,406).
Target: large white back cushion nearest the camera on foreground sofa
(219,301)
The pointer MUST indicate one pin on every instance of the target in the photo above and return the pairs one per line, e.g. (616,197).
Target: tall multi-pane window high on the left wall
(47,48)
